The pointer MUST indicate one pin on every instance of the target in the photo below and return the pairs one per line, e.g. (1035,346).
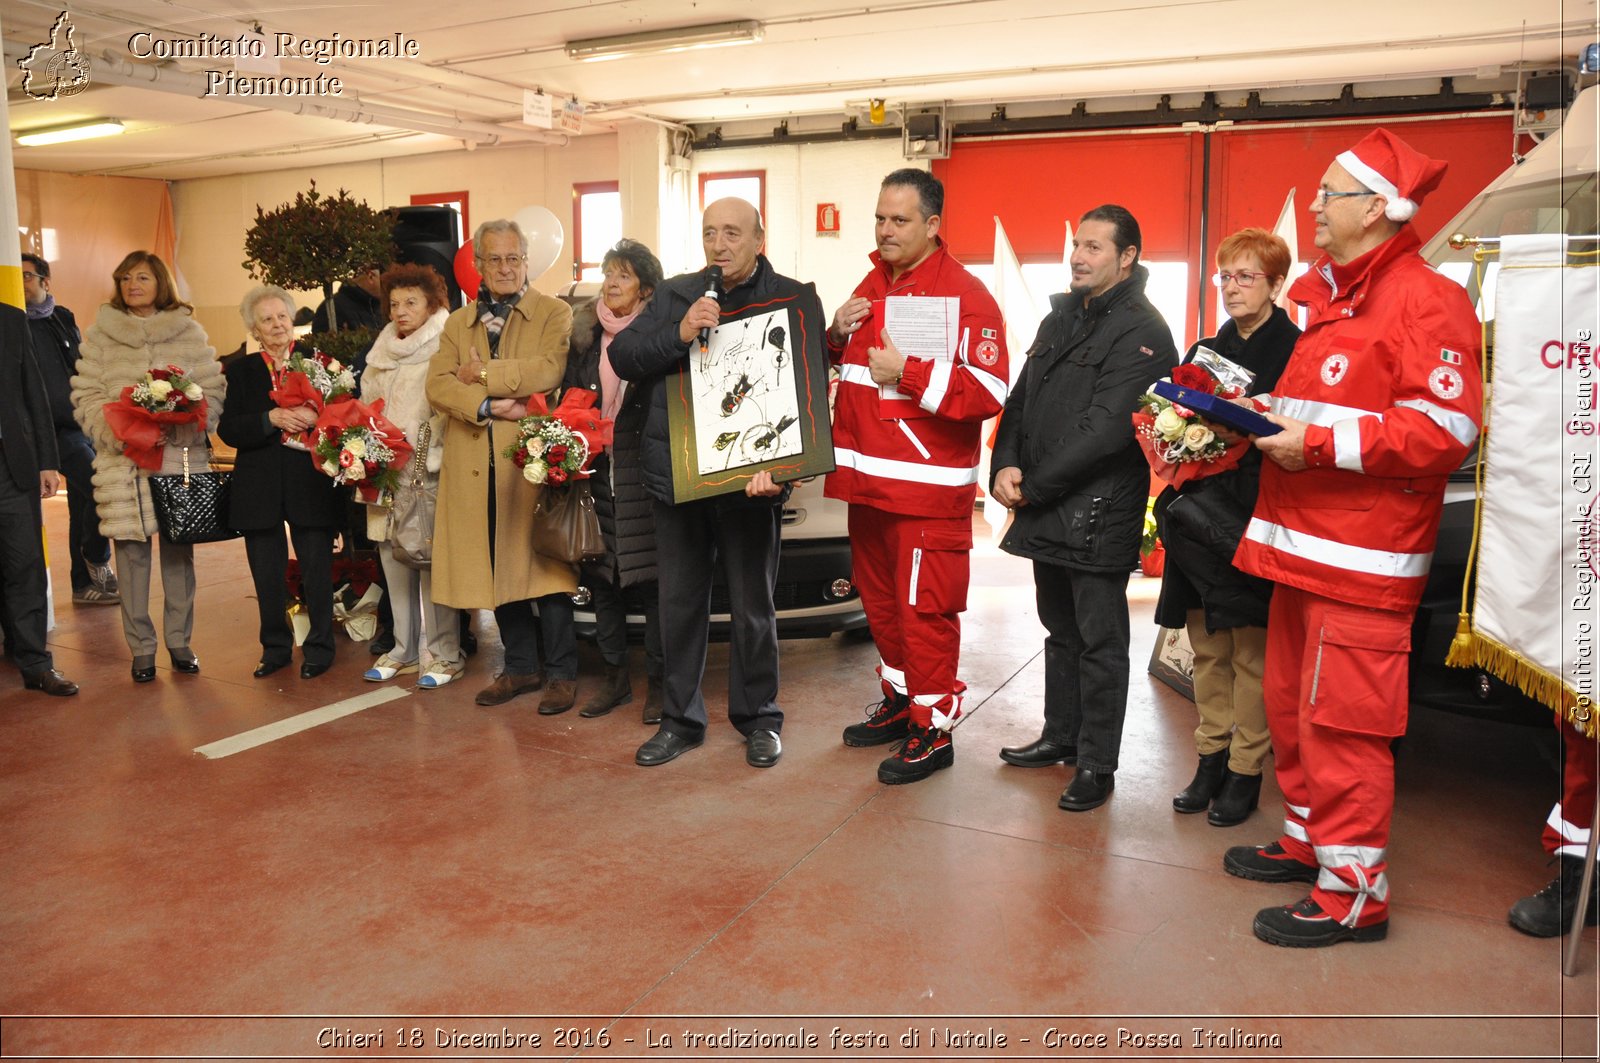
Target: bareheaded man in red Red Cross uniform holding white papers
(906,441)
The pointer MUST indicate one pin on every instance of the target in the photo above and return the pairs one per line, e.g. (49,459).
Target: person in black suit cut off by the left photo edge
(28,473)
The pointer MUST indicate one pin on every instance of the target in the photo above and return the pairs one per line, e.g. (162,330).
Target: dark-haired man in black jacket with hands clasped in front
(1071,471)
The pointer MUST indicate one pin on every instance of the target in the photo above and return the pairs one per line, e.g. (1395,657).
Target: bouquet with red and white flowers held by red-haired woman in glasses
(1178,444)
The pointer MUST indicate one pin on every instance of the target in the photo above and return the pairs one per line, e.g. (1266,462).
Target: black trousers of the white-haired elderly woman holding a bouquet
(270,560)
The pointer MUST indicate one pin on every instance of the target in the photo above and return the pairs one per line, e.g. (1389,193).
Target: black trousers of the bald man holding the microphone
(690,540)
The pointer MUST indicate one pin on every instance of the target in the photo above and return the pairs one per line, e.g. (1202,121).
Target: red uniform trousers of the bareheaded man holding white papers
(913,576)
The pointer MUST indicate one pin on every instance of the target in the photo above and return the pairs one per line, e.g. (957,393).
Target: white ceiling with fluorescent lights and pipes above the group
(476,60)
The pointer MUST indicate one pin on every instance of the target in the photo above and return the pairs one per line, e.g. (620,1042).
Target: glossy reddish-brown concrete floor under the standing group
(417,878)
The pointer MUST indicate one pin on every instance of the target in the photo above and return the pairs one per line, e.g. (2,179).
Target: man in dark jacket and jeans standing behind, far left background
(57,353)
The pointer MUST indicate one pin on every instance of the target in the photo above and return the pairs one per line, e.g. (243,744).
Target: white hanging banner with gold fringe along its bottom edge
(1535,614)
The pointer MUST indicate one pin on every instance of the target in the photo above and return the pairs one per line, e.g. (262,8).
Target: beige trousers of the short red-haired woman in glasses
(1228,694)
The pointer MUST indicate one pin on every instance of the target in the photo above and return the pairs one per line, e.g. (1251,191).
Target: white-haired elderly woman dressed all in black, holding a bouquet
(278,484)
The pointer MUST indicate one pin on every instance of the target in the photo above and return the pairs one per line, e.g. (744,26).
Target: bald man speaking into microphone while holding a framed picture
(740,529)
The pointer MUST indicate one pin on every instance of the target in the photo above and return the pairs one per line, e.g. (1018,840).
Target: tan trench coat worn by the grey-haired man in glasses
(532,359)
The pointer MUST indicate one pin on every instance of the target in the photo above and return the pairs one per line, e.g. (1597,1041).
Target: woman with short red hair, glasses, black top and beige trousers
(1201,524)
